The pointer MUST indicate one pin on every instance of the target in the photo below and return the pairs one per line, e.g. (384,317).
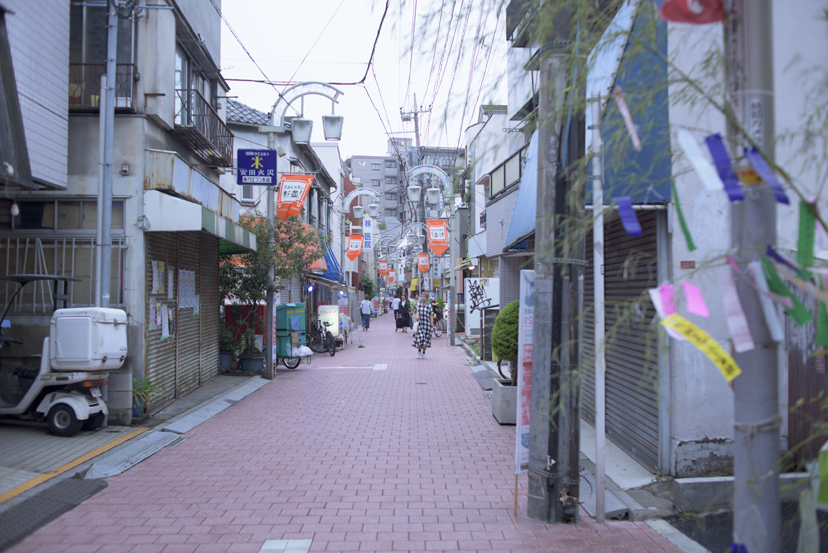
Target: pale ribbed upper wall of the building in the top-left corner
(39,41)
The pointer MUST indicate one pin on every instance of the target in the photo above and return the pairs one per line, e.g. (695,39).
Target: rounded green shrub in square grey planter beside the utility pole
(504,345)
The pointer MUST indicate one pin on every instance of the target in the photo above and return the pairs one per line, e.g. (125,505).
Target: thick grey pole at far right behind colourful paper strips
(757,515)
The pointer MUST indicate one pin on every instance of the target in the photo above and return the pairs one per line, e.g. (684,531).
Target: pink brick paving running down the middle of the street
(395,454)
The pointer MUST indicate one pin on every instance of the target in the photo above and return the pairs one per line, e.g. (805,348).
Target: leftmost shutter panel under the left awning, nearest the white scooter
(160,354)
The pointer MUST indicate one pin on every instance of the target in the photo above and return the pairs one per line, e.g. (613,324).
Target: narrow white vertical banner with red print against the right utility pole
(524,365)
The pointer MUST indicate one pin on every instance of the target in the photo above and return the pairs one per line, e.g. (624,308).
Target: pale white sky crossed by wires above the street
(279,34)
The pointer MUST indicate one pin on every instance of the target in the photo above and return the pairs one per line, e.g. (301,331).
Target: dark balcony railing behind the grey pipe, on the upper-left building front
(85,85)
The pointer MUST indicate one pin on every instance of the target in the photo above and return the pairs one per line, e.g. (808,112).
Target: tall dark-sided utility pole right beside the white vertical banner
(554,446)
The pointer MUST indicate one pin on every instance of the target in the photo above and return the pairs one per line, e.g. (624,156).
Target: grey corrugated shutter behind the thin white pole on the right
(630,267)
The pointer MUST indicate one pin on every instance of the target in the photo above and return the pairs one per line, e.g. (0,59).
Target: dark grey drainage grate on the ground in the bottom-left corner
(40,509)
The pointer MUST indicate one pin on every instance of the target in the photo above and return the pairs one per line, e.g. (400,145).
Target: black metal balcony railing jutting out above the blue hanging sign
(199,128)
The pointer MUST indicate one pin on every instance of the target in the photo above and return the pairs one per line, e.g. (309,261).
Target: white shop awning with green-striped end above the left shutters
(165,213)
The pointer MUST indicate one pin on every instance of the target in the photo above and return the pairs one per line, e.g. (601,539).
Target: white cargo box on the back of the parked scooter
(87,339)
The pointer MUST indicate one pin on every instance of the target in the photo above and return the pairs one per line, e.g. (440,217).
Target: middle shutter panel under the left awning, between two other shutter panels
(187,327)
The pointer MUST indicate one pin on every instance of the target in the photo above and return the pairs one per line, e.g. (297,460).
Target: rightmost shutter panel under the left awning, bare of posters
(209,307)
